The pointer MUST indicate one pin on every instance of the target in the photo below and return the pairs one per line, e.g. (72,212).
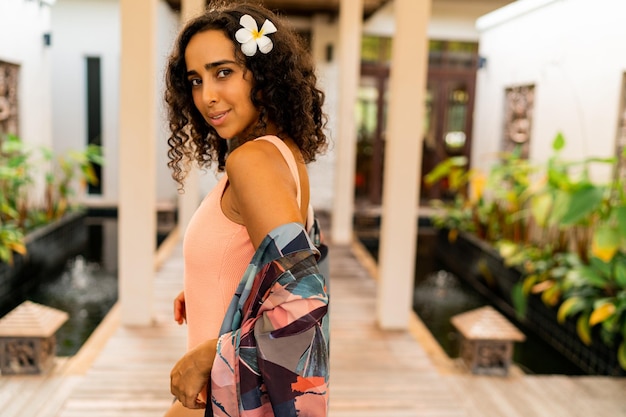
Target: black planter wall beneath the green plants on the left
(48,249)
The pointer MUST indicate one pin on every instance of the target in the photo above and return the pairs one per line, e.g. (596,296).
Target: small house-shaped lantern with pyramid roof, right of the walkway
(487,340)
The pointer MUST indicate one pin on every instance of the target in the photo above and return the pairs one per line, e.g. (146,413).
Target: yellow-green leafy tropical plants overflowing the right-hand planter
(564,232)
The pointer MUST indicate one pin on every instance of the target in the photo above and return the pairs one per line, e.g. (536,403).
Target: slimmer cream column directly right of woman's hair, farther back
(350,26)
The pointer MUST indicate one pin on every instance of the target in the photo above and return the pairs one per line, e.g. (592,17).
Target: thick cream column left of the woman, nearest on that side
(137,166)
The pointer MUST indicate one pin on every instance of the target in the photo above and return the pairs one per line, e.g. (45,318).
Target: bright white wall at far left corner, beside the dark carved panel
(22,26)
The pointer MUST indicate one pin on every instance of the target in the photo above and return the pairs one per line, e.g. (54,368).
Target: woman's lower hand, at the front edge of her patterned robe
(190,375)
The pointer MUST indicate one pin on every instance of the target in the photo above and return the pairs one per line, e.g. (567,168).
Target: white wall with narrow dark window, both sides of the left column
(91,28)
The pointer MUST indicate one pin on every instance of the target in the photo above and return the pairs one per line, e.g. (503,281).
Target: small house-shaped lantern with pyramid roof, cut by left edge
(27,338)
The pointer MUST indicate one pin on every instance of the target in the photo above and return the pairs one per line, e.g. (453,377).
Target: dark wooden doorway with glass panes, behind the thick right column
(448,116)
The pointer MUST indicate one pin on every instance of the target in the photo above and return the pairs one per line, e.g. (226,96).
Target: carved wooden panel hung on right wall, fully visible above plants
(518,115)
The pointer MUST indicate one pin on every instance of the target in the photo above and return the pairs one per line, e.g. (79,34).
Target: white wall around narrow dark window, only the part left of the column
(81,29)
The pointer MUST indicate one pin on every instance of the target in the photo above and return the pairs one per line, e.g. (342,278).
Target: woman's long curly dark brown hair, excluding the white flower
(284,90)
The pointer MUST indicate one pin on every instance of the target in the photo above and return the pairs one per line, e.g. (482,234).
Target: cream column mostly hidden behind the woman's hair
(188,201)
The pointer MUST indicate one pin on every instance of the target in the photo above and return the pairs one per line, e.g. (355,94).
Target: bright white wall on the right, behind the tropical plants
(572,51)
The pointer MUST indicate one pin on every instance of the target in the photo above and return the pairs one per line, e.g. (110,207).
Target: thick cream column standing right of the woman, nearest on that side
(403,155)
